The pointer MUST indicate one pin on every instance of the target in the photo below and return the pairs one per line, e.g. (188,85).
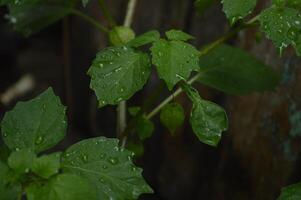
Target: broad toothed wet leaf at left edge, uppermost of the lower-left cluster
(38,124)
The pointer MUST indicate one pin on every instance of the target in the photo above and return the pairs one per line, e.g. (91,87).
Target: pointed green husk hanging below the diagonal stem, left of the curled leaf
(172,116)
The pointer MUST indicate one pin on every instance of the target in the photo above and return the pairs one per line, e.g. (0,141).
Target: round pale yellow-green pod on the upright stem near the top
(120,35)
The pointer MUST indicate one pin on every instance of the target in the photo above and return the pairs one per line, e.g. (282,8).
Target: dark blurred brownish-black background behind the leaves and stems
(258,155)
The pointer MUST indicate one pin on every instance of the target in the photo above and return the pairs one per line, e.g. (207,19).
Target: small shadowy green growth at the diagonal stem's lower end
(145,128)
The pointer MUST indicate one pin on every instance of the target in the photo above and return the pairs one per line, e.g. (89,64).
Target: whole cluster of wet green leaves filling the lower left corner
(92,169)
